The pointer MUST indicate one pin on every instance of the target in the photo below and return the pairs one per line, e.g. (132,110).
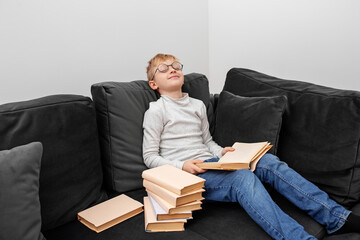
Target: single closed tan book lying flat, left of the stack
(109,213)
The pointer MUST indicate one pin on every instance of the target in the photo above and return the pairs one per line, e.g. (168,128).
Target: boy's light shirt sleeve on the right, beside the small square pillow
(213,147)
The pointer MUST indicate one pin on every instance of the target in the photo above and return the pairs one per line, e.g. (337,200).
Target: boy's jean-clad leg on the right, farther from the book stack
(301,192)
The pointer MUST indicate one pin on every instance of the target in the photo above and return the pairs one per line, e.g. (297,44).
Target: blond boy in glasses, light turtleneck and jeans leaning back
(176,132)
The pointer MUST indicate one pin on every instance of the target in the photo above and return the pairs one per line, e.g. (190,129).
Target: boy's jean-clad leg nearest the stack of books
(244,187)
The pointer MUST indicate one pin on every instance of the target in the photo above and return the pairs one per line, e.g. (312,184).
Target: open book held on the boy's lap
(245,156)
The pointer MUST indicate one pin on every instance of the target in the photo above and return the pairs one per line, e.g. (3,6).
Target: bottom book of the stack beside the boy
(154,225)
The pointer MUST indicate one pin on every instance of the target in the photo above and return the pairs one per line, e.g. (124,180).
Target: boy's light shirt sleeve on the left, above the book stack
(153,126)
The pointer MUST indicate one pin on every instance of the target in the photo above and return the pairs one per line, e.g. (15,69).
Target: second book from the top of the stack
(171,197)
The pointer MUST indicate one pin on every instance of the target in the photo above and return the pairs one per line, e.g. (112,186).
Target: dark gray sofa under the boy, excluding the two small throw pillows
(92,152)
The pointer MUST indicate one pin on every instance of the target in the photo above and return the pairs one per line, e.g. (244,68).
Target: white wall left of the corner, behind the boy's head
(50,47)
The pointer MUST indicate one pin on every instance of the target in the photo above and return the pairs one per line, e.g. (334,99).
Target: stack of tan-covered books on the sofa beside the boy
(172,196)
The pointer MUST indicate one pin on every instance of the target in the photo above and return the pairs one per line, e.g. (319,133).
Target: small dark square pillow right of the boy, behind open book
(248,119)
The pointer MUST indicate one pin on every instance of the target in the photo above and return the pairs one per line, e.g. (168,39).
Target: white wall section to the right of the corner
(309,40)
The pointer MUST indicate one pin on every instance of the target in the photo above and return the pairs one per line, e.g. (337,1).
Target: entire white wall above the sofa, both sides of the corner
(49,47)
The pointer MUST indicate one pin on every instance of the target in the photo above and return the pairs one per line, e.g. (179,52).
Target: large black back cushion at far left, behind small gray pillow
(71,174)
